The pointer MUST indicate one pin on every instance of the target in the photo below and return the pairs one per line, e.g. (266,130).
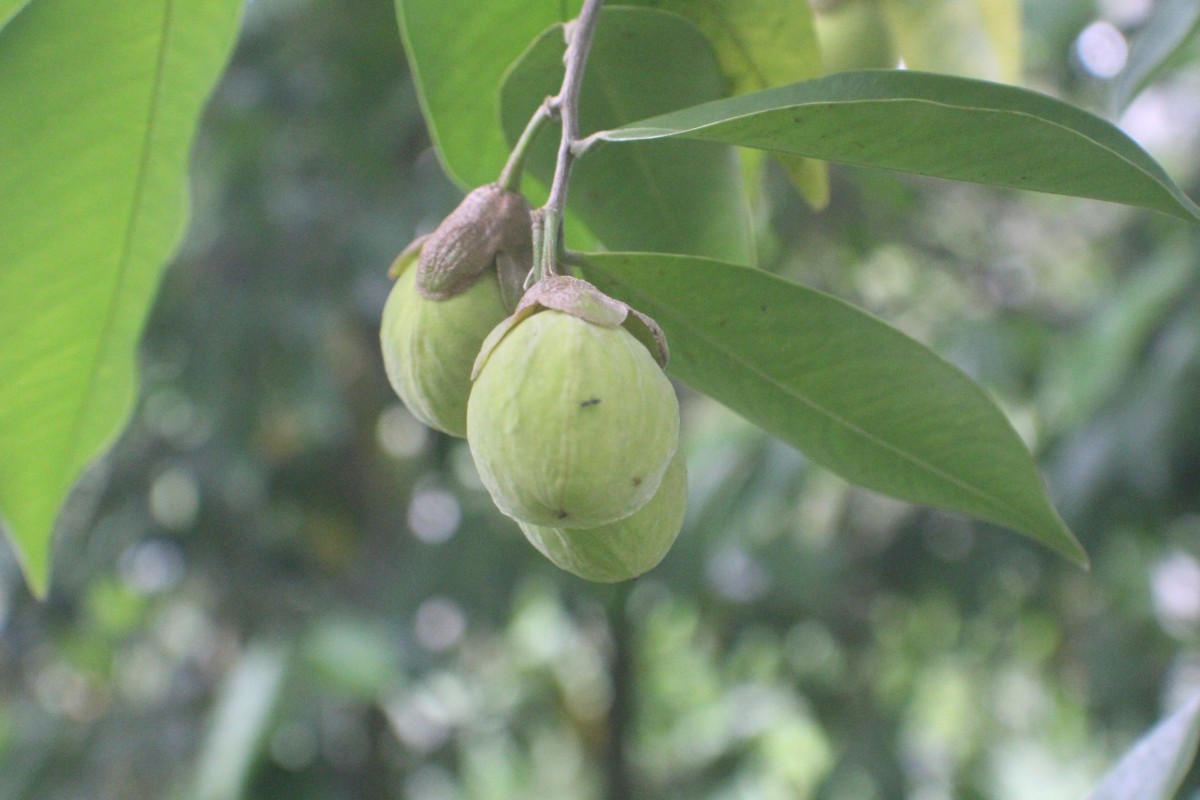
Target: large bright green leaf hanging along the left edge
(101,103)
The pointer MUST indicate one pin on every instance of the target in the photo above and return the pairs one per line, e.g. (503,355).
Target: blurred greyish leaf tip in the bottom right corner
(1156,767)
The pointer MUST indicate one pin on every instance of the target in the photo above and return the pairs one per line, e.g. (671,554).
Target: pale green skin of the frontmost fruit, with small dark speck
(572,424)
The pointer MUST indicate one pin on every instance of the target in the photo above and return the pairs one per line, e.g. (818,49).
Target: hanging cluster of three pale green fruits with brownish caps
(572,423)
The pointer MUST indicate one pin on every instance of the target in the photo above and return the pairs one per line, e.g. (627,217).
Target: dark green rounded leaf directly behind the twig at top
(682,197)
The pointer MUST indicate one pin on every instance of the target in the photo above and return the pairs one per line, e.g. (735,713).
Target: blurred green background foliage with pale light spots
(280,586)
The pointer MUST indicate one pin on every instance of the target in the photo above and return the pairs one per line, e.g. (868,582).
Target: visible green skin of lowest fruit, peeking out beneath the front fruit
(622,550)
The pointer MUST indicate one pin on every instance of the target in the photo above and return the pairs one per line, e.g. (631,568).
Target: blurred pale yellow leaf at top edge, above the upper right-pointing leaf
(980,39)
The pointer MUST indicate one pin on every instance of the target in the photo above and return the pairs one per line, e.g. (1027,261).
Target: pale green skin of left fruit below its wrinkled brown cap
(430,347)
